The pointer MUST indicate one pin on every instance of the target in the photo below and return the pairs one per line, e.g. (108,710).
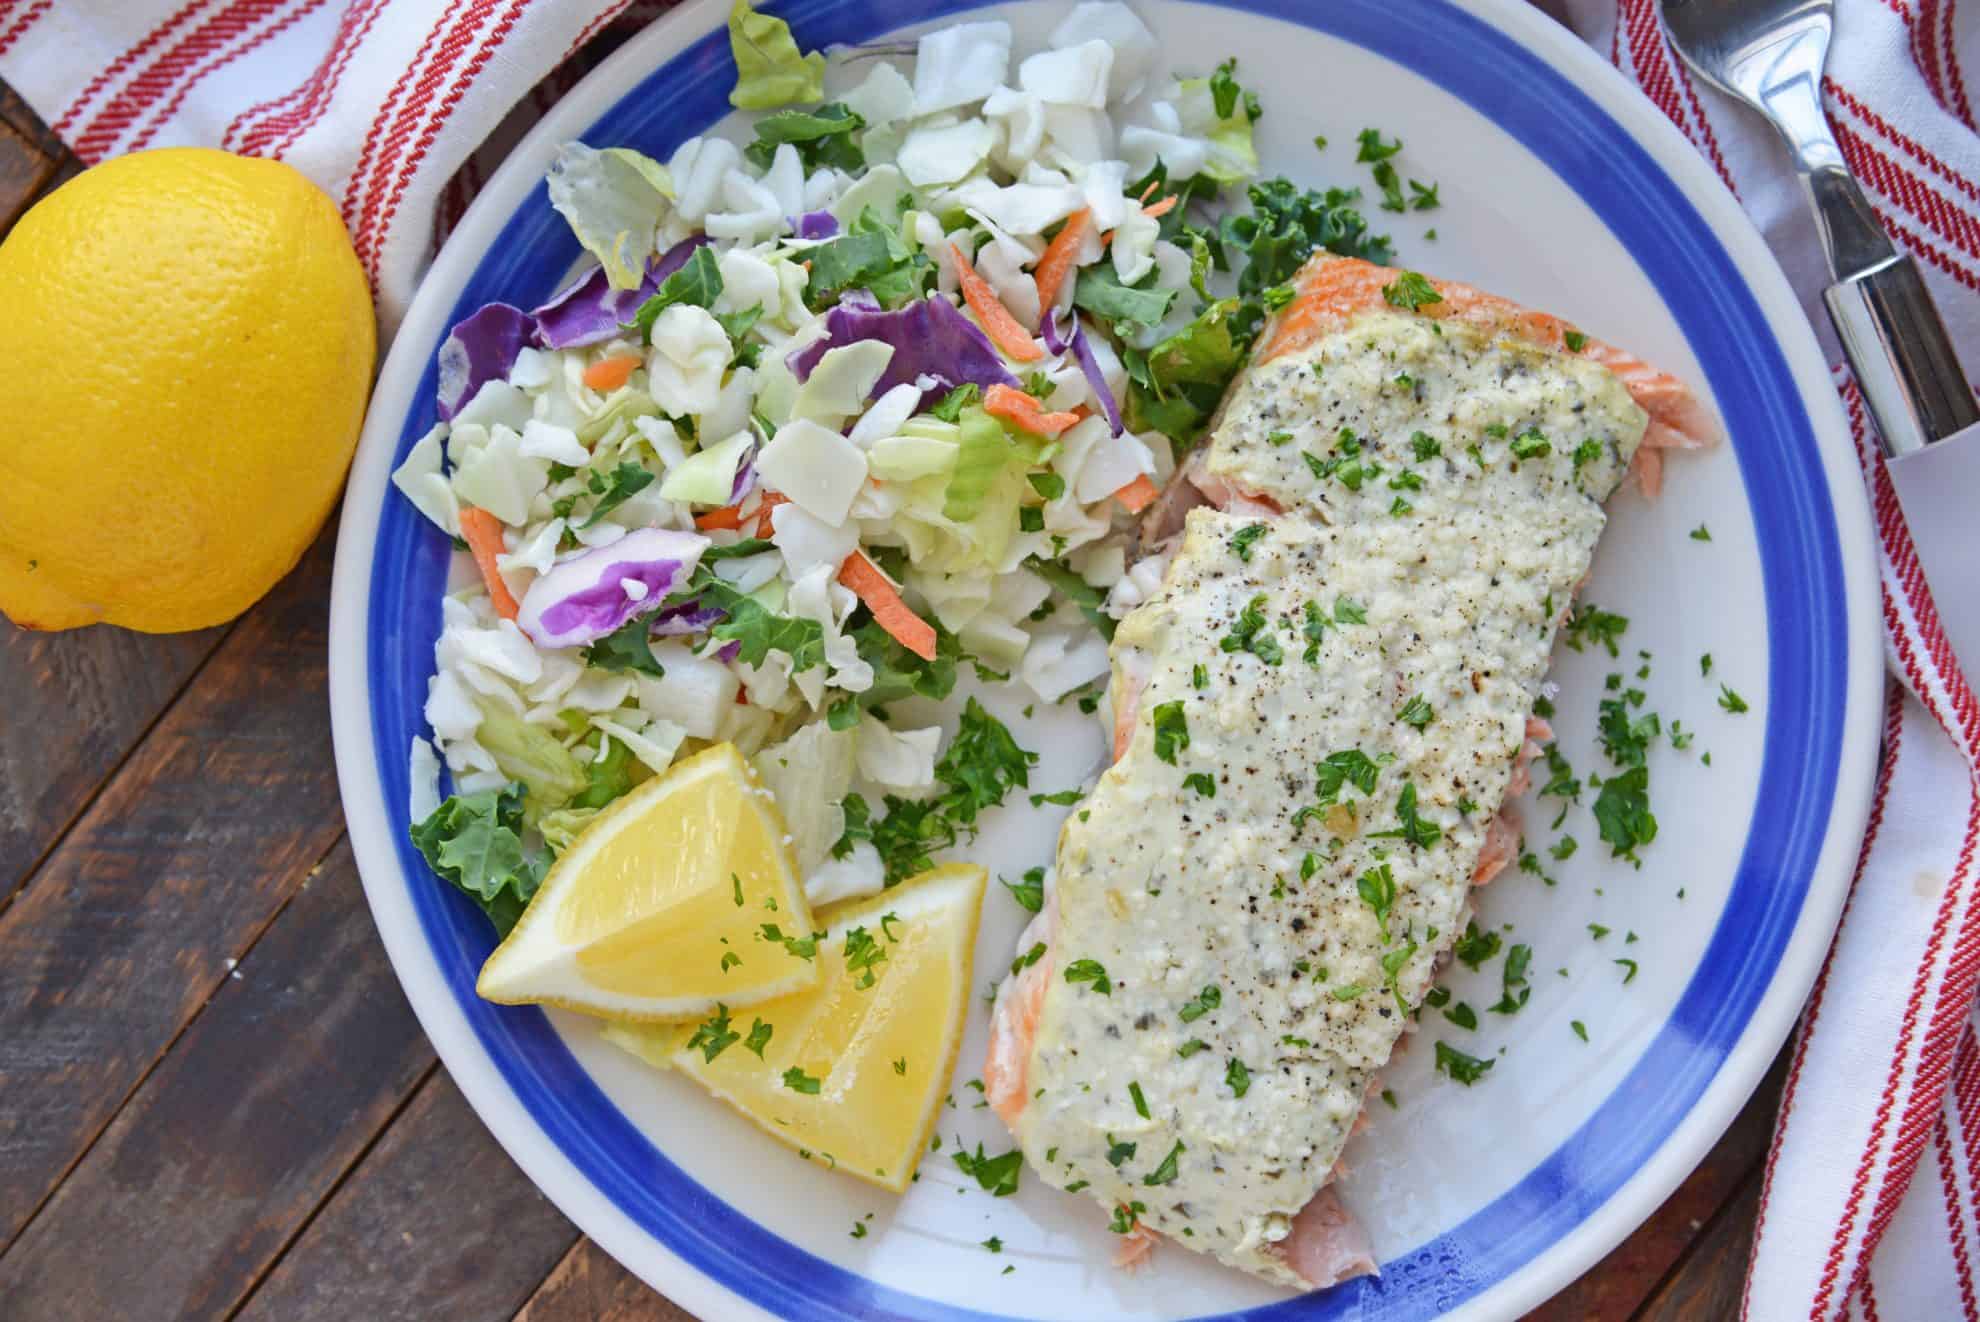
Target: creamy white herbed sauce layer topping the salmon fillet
(1330,709)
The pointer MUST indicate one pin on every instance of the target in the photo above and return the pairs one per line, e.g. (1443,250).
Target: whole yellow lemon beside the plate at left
(189,343)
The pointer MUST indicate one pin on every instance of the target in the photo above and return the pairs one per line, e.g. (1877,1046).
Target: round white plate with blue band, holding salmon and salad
(1561,189)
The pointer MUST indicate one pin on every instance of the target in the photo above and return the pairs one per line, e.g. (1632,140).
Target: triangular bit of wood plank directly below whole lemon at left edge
(78,704)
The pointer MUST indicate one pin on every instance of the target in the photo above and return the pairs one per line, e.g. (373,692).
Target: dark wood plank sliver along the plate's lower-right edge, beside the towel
(1619,1285)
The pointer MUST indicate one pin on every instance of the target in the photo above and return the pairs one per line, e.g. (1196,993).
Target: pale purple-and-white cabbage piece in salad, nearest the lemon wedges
(585,599)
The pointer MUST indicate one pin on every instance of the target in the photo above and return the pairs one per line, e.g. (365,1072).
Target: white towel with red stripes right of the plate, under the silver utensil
(1872,1190)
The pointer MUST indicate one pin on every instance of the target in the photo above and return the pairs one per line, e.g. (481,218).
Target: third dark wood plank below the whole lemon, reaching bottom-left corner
(221,1157)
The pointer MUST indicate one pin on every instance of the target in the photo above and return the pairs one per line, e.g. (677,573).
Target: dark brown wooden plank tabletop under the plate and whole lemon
(215,1099)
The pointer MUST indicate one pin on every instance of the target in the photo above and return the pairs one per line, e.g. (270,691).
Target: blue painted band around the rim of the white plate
(1809,674)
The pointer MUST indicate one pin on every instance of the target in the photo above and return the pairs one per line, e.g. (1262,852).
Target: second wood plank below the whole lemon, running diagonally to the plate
(177,866)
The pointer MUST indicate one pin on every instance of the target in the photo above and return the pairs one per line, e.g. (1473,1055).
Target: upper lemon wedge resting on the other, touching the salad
(658,909)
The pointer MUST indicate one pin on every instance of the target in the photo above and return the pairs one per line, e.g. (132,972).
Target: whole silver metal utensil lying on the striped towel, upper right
(1769,54)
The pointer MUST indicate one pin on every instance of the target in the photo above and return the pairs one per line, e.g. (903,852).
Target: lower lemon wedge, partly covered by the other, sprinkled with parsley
(852,1072)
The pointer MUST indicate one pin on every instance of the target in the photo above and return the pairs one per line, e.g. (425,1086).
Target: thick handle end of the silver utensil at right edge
(1902,355)
